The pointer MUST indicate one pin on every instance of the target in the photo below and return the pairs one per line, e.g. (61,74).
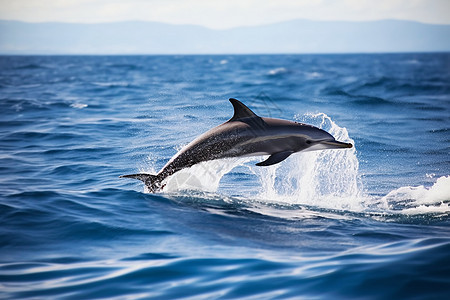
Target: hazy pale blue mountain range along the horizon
(297,36)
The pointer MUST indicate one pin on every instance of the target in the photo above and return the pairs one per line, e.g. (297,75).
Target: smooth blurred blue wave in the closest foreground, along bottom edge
(160,275)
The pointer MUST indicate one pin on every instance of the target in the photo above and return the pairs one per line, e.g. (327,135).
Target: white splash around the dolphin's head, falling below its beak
(326,178)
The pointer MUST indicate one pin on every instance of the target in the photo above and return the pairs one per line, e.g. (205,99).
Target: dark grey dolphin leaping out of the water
(245,134)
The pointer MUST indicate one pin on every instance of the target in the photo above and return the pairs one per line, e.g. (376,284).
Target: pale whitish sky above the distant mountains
(223,14)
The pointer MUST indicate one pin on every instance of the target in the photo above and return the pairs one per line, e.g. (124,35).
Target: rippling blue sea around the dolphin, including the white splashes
(371,222)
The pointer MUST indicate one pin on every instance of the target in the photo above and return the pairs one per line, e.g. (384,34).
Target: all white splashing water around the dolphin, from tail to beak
(326,178)
